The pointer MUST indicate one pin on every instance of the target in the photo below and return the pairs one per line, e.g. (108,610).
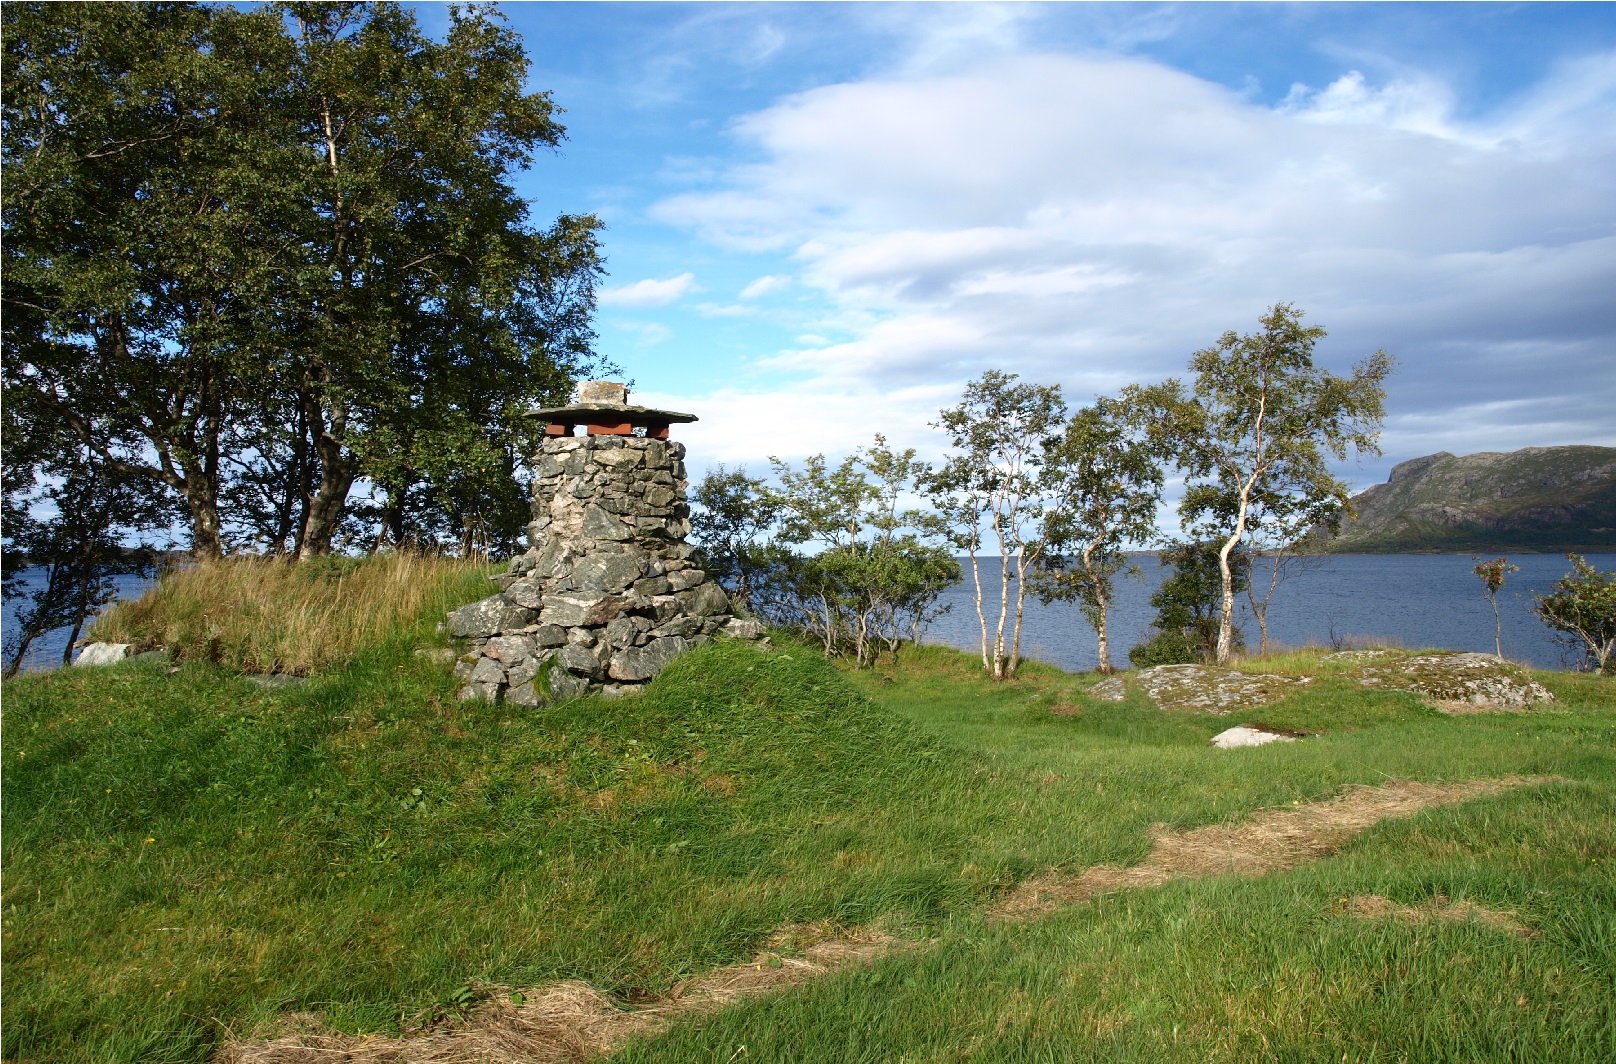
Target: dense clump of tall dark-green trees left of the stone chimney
(282,247)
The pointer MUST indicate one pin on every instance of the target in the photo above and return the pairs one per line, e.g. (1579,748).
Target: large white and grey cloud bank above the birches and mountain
(1093,221)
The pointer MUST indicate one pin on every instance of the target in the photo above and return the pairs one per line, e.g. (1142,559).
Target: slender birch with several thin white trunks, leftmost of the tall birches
(1001,476)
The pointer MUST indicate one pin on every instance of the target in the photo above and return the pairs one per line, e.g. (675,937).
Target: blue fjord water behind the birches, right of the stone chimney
(1403,601)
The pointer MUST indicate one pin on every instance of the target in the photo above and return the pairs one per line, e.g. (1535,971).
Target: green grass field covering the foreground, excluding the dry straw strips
(190,858)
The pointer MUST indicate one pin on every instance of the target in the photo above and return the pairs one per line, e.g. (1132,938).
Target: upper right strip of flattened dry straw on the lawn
(1269,842)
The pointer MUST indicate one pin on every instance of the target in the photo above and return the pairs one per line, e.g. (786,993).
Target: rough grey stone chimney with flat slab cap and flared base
(607,594)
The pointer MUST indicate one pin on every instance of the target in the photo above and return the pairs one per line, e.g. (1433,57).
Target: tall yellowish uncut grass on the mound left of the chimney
(264,615)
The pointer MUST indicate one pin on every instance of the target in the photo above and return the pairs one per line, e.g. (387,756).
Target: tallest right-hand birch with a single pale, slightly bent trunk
(1261,423)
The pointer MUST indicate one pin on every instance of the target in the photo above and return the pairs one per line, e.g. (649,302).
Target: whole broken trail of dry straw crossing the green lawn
(576,1023)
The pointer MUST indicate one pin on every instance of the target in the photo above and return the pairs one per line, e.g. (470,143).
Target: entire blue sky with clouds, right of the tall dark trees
(825,219)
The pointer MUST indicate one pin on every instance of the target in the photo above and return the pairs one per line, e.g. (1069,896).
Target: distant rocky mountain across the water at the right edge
(1544,499)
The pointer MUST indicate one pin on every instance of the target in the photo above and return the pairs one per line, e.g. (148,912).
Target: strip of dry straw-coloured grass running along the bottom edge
(566,1021)
